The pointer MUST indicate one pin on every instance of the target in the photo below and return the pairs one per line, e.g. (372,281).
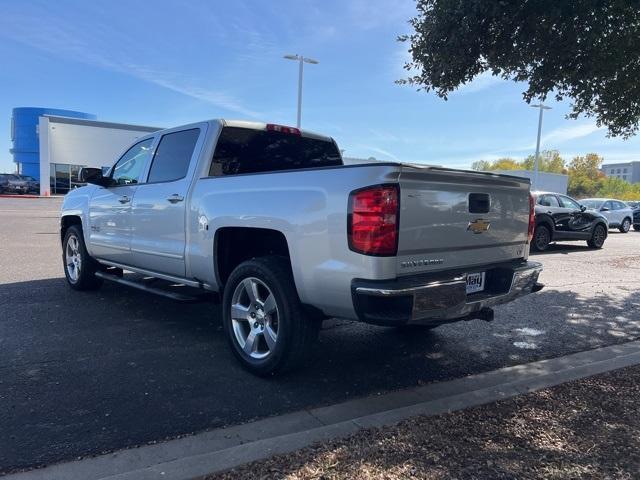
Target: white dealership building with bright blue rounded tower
(52,145)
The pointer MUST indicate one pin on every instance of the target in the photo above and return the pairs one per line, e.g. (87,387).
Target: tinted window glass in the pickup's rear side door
(173,156)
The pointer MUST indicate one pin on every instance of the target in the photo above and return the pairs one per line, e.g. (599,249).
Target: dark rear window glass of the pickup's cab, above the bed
(244,150)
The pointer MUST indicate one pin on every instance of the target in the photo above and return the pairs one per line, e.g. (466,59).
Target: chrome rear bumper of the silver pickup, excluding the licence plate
(442,298)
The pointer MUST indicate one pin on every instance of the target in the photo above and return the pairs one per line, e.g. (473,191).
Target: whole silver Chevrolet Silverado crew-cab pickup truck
(269,219)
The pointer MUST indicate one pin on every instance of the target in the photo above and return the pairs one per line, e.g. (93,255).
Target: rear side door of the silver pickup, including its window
(159,207)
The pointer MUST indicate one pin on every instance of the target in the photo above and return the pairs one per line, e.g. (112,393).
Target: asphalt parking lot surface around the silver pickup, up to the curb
(85,373)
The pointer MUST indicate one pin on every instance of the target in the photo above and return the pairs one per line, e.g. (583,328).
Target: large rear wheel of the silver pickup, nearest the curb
(263,318)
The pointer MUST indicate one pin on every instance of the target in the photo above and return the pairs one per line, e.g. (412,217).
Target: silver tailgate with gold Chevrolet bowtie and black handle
(454,219)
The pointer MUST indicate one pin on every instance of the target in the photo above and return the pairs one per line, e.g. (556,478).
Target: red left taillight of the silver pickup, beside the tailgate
(373,220)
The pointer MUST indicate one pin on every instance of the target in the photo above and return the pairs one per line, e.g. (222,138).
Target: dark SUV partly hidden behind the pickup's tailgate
(560,217)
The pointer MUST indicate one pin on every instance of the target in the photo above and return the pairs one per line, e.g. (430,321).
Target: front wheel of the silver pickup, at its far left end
(79,266)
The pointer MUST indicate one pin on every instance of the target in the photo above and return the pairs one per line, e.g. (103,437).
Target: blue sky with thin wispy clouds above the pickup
(169,63)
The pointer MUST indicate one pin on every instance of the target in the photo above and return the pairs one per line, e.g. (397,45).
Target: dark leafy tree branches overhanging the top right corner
(586,50)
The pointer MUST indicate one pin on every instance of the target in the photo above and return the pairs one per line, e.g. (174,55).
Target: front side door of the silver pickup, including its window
(110,208)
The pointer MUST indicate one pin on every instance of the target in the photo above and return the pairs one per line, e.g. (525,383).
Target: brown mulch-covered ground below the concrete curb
(585,429)
